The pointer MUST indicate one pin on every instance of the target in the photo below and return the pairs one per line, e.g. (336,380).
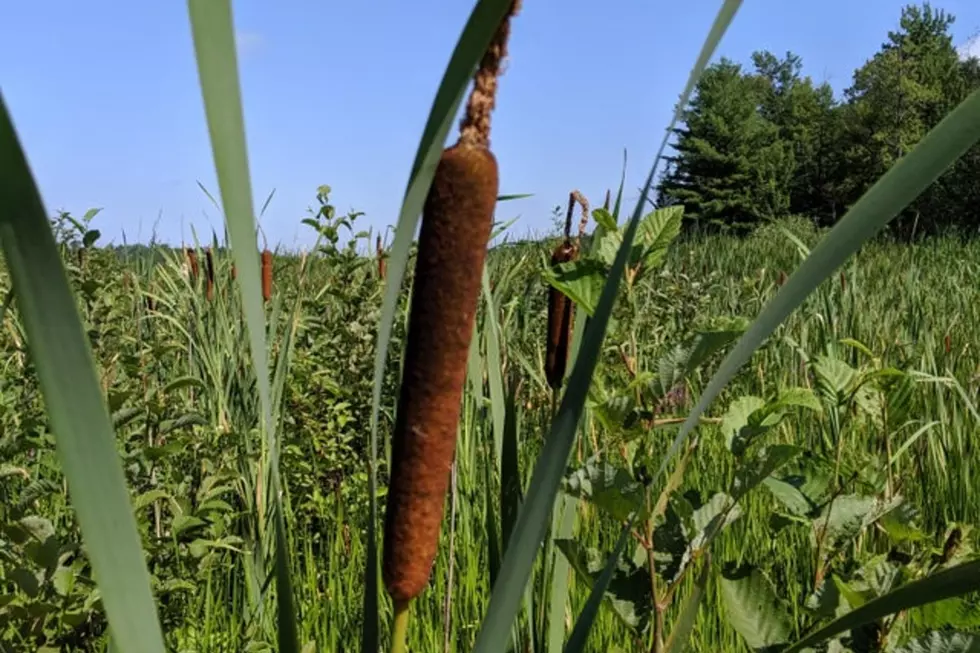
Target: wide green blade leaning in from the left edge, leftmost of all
(78,415)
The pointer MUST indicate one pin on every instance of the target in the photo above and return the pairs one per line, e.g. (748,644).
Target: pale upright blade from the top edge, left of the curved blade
(214,45)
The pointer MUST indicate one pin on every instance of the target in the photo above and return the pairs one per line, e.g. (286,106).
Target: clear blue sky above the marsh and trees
(105,97)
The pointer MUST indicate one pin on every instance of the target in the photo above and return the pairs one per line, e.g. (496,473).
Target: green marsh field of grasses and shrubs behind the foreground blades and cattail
(877,373)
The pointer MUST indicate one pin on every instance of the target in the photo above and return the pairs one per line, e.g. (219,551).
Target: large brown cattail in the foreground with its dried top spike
(456,223)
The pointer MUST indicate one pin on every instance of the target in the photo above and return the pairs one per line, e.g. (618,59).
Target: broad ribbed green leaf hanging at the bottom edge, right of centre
(752,608)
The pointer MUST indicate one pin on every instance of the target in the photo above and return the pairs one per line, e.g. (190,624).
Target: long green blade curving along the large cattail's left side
(472,44)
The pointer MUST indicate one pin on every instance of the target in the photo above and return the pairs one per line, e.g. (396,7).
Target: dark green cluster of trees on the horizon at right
(765,142)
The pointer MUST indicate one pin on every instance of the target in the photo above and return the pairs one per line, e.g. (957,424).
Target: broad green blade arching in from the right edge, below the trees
(912,174)
